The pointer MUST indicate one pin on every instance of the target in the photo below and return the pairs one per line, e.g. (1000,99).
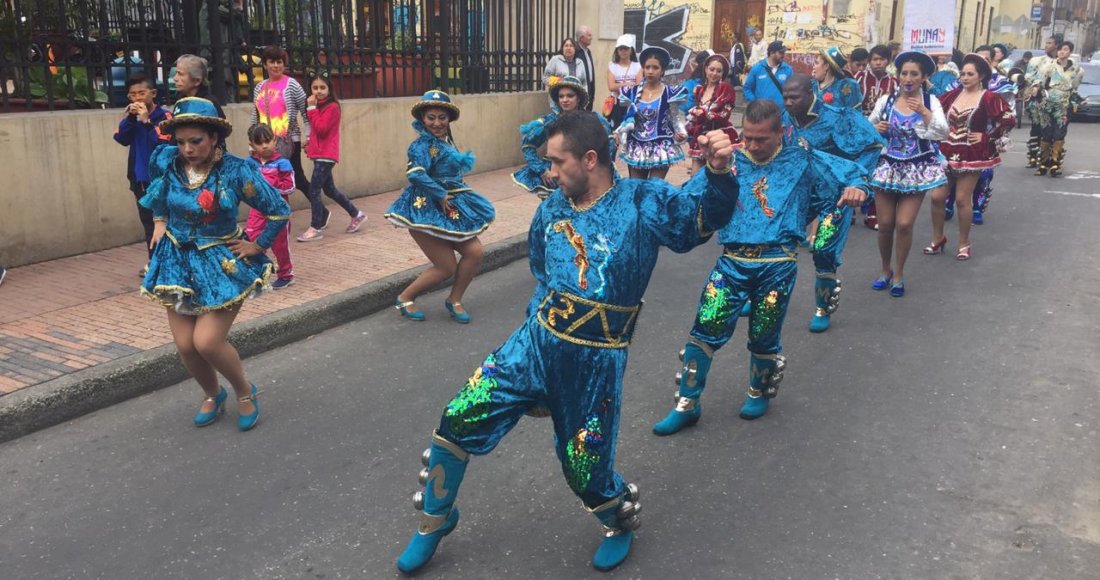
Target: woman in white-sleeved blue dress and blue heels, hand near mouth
(912,122)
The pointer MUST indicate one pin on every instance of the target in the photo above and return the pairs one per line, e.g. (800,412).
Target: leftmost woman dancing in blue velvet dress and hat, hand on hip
(204,267)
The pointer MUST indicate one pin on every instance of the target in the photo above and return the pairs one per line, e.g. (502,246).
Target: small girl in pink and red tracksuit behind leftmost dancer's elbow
(280,174)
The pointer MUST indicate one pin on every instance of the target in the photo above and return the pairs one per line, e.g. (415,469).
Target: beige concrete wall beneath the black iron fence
(63,188)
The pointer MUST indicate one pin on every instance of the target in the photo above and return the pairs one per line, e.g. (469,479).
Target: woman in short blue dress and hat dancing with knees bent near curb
(443,214)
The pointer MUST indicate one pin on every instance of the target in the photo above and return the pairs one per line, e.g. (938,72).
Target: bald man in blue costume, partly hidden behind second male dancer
(846,134)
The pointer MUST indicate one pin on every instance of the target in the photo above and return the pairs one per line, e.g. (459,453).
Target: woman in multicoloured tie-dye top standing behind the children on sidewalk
(279,101)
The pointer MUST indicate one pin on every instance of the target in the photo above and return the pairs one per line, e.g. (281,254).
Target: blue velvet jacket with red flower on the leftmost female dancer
(206,216)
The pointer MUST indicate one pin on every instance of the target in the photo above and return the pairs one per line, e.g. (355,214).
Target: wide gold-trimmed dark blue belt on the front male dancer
(588,323)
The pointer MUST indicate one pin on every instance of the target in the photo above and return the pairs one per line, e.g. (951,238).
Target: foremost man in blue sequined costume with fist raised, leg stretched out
(593,245)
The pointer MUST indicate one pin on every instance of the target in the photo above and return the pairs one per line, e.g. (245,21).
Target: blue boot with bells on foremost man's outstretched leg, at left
(446,466)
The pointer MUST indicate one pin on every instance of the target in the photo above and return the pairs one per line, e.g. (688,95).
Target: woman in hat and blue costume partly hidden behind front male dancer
(568,95)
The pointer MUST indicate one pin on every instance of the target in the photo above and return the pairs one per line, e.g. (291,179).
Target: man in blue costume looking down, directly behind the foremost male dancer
(784,184)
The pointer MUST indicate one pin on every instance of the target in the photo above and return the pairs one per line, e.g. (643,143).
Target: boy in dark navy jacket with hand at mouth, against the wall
(139,132)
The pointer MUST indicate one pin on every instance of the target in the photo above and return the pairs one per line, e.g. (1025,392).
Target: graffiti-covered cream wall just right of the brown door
(810,26)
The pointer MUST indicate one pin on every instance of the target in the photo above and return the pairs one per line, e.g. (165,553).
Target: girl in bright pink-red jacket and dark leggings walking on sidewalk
(324,148)
